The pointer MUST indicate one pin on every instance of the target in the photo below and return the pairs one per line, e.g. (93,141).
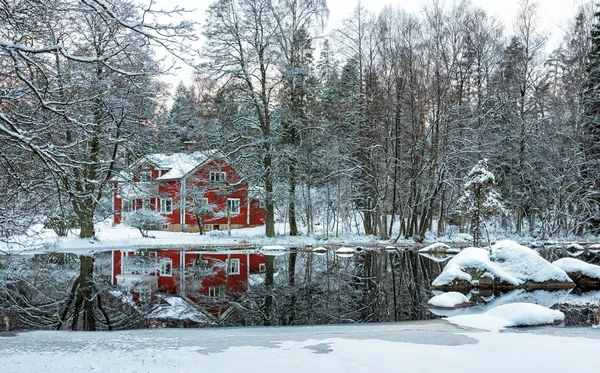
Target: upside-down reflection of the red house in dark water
(208,280)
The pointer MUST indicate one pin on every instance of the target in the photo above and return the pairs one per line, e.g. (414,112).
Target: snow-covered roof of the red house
(180,164)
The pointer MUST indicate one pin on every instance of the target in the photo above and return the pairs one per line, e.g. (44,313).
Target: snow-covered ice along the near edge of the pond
(434,346)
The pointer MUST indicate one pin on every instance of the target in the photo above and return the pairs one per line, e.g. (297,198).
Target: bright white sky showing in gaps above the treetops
(553,14)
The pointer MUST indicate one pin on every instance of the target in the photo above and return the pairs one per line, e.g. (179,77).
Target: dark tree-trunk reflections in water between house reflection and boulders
(372,286)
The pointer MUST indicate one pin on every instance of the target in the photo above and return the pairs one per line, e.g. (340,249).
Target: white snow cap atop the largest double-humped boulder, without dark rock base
(509,263)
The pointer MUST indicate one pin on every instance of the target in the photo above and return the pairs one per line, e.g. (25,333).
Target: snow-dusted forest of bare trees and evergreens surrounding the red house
(378,127)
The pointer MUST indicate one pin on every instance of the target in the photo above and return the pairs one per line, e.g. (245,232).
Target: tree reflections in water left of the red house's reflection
(52,291)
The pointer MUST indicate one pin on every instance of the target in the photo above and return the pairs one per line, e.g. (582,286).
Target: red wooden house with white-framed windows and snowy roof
(171,183)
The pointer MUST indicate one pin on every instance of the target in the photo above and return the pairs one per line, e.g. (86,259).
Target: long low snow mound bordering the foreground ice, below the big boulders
(514,314)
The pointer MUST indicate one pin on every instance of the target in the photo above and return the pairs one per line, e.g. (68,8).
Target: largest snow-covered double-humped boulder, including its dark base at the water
(509,266)
